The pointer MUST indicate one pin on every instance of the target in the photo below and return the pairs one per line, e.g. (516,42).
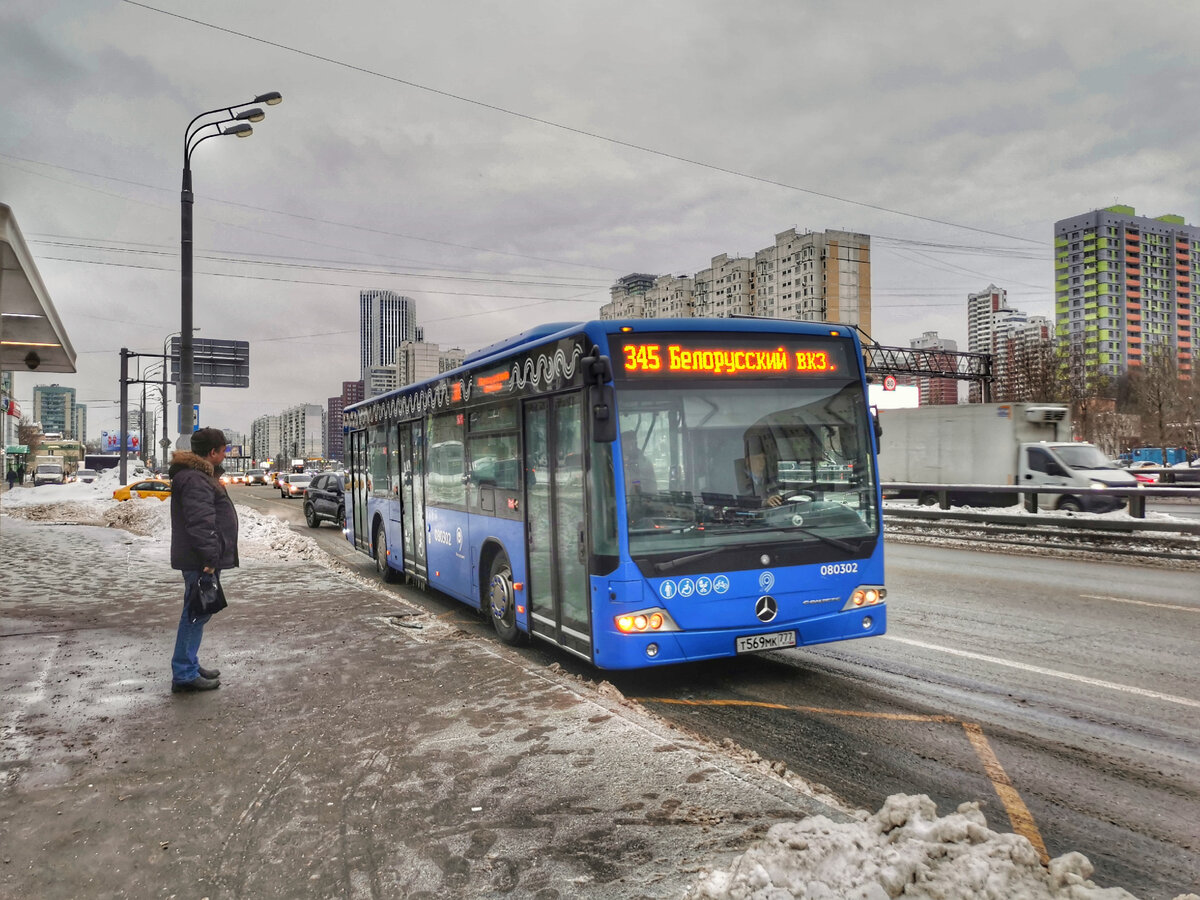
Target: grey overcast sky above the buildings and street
(505,163)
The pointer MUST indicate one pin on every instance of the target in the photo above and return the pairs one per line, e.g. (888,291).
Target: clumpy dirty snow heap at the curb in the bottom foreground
(904,850)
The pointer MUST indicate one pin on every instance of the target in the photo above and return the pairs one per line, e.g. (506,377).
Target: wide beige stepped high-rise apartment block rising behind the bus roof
(817,277)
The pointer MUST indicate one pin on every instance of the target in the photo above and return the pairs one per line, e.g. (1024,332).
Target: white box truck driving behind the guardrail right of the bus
(1021,445)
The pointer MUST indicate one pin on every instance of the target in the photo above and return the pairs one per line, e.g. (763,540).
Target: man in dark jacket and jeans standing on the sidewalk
(203,542)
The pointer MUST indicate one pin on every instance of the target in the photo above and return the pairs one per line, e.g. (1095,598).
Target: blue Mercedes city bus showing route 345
(638,493)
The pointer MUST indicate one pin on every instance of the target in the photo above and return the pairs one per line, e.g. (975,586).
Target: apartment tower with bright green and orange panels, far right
(1125,285)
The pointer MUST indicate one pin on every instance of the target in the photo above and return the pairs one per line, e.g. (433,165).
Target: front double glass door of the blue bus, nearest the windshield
(557,523)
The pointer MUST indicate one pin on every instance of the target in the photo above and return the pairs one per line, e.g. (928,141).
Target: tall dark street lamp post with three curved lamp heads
(194,137)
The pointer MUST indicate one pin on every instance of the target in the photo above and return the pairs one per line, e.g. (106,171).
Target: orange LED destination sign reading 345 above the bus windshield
(667,356)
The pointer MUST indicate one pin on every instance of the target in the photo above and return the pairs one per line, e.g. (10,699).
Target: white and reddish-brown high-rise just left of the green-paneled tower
(1013,339)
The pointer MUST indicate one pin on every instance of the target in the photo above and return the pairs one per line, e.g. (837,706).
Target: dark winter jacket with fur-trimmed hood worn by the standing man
(203,521)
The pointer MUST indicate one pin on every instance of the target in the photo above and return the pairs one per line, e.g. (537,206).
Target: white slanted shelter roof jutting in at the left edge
(32,335)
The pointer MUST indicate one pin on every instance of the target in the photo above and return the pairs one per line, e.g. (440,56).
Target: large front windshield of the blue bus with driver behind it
(710,467)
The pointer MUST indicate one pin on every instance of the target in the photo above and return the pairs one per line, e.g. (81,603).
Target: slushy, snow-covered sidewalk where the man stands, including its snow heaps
(361,748)
